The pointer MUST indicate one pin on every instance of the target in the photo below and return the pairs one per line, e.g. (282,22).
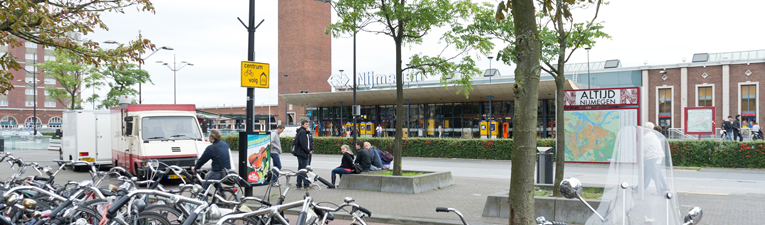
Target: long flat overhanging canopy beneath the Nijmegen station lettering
(420,95)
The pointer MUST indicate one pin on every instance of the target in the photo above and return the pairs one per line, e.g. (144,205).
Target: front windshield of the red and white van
(169,128)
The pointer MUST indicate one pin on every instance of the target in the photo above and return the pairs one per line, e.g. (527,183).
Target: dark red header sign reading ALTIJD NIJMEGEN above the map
(602,97)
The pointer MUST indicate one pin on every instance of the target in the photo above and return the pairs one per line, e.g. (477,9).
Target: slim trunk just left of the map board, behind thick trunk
(560,80)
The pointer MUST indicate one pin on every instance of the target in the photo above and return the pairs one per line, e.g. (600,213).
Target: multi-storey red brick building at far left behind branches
(17,106)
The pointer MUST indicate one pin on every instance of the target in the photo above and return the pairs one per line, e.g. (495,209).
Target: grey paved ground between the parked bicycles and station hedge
(728,196)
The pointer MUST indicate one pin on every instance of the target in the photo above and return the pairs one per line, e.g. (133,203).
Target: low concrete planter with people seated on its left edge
(372,181)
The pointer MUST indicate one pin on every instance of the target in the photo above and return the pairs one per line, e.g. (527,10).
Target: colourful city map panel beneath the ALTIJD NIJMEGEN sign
(591,133)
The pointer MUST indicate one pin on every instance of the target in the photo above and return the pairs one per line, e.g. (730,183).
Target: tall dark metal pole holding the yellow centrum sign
(250,91)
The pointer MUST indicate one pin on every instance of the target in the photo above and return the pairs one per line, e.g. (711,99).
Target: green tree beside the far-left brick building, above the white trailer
(71,73)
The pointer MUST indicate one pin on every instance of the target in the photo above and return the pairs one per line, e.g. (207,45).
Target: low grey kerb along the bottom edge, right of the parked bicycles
(377,218)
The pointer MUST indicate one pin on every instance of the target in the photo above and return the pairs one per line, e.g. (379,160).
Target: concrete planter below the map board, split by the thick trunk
(552,208)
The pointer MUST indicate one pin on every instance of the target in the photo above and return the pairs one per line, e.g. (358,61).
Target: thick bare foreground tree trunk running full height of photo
(527,50)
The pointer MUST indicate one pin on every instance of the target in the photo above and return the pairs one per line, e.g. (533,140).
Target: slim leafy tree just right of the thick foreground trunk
(565,34)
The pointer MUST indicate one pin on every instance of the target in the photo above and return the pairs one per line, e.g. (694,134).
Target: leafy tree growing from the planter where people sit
(407,23)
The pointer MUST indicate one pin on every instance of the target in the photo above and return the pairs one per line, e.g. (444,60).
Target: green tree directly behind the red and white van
(120,82)
